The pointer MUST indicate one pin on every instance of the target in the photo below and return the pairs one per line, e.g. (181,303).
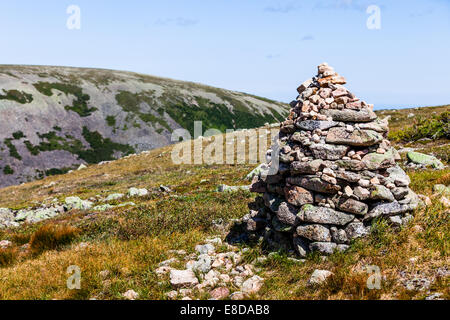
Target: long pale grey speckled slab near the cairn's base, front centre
(323,215)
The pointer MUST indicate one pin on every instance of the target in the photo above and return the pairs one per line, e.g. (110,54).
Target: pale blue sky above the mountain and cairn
(263,47)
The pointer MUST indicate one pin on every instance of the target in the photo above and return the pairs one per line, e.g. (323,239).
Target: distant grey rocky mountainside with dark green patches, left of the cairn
(53,119)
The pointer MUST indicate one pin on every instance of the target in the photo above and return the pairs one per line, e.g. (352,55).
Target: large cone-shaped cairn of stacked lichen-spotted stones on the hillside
(337,173)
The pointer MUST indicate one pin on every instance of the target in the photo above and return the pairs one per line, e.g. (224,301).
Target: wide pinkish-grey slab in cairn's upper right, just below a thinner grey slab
(357,138)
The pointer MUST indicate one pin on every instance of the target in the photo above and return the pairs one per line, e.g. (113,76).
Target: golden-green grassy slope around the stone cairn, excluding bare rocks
(130,242)
